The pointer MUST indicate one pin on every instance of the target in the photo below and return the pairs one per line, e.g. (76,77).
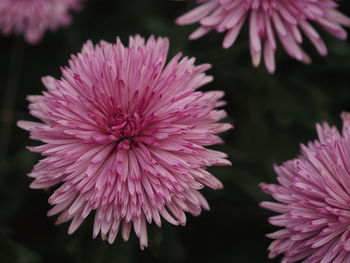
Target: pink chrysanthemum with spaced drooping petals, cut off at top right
(287,19)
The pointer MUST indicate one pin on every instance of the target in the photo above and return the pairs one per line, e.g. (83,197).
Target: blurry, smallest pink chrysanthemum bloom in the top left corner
(31,18)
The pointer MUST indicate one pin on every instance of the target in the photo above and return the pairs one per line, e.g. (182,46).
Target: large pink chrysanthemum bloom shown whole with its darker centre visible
(124,136)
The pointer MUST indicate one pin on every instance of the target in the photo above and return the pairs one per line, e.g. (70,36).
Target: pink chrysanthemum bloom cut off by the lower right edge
(314,198)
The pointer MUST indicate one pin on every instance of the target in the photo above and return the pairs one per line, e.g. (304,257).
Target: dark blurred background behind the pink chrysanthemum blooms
(272,114)
